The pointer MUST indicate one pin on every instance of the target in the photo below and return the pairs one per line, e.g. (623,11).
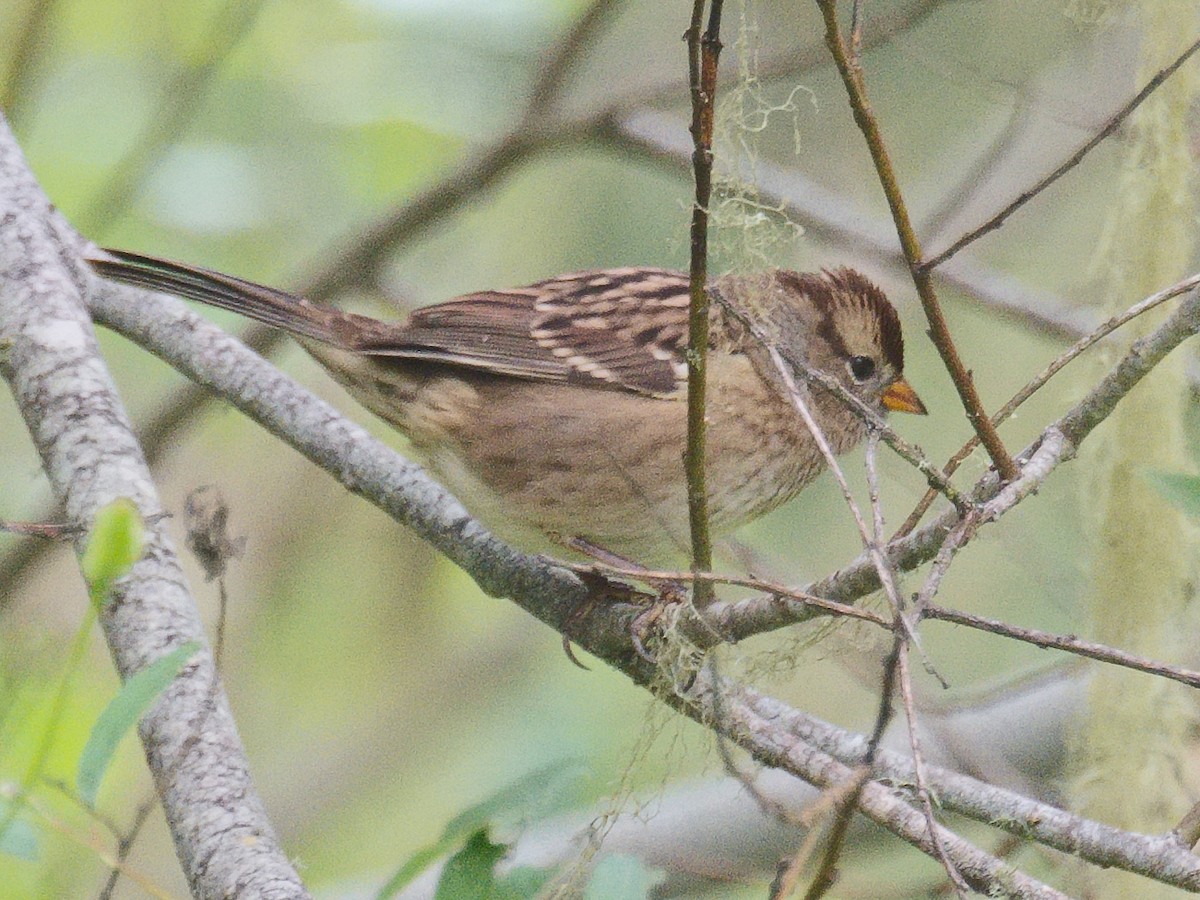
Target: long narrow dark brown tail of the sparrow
(256,302)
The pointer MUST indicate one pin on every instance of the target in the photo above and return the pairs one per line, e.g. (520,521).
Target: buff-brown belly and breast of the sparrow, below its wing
(604,471)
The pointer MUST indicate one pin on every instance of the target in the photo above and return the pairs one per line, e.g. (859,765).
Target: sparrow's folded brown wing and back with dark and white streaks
(619,329)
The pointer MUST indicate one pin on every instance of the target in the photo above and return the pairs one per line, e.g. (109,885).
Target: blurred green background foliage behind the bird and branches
(377,691)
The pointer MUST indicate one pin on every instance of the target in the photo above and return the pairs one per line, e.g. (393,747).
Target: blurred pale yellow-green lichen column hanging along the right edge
(1130,747)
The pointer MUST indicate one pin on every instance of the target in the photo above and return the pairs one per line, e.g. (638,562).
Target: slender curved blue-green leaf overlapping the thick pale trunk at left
(123,715)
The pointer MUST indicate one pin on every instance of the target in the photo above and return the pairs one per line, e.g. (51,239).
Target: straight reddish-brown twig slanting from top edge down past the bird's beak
(939,329)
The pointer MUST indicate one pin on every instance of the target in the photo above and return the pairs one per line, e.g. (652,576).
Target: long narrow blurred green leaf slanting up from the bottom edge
(530,794)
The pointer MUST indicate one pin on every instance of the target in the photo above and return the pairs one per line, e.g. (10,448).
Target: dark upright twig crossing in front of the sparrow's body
(704,52)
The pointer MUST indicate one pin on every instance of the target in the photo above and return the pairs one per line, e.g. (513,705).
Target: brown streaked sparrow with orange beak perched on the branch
(560,407)
